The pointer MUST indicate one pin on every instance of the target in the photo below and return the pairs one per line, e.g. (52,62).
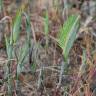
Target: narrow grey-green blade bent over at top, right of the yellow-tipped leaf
(23,52)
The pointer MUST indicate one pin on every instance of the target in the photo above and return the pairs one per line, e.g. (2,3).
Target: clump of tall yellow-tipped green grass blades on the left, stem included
(11,43)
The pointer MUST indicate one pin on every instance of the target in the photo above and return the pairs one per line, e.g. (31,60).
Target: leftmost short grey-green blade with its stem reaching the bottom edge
(9,49)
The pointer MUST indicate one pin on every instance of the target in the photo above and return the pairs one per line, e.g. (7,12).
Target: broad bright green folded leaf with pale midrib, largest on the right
(67,34)
